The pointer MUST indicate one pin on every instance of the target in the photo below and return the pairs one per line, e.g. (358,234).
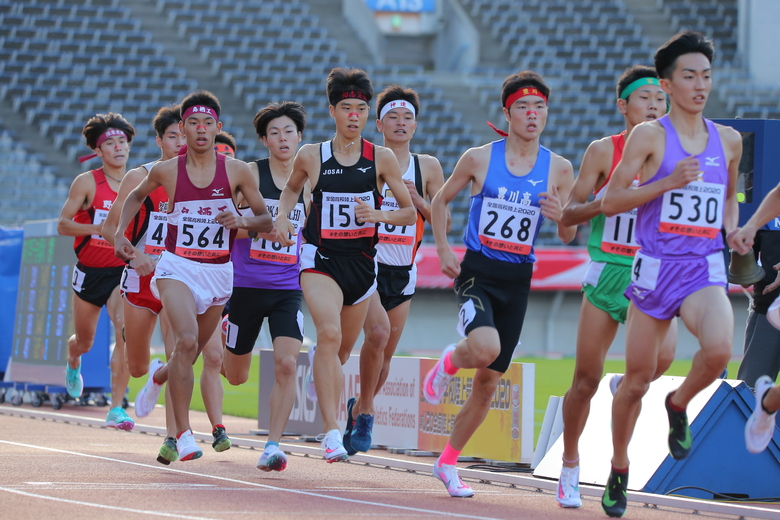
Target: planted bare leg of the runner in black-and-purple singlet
(282,400)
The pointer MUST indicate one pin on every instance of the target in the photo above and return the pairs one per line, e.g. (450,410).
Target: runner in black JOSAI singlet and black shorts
(338,269)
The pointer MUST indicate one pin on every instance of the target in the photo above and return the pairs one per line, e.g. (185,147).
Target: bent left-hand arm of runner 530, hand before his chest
(645,141)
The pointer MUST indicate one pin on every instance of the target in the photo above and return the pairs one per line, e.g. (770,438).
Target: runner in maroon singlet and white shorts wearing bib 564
(194,277)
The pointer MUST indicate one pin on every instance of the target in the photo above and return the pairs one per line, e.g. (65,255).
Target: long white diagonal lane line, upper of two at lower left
(246,483)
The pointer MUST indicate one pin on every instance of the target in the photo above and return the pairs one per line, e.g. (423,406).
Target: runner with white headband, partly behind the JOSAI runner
(397,111)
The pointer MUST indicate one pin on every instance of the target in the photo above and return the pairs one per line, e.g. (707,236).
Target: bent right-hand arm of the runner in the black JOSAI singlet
(388,173)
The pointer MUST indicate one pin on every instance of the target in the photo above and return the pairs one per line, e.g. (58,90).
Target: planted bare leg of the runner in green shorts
(595,332)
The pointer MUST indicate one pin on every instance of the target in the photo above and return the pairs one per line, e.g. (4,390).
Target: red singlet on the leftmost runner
(93,250)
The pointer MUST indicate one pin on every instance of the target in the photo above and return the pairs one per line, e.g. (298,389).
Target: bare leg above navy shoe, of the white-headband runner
(376,331)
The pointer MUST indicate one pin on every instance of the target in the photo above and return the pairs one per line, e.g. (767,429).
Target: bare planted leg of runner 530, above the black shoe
(644,335)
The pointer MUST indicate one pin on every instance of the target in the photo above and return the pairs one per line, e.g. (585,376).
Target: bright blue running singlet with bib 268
(505,217)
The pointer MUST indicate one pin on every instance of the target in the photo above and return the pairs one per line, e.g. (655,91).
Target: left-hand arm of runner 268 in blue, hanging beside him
(474,162)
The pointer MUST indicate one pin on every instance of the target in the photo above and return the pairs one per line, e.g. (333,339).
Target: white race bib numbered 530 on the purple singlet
(694,210)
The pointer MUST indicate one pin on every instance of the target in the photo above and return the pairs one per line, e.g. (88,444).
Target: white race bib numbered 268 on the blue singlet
(508,226)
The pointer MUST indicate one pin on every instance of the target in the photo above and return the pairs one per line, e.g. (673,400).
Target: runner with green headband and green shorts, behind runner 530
(612,245)
